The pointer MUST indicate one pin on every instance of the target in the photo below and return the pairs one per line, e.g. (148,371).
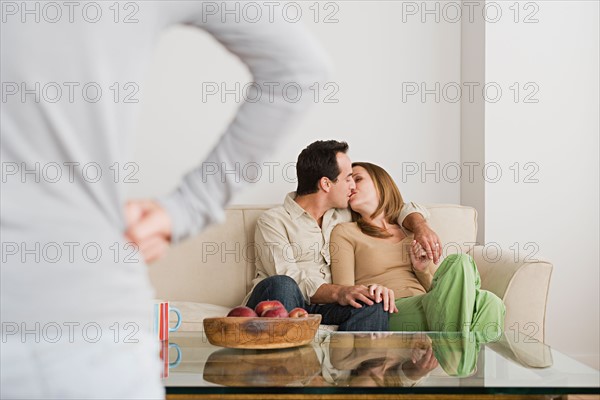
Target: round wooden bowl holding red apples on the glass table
(261,333)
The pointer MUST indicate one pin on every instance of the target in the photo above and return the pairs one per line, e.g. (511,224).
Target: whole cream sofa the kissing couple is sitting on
(212,272)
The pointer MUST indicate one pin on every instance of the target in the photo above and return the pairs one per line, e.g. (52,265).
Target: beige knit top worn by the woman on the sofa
(359,259)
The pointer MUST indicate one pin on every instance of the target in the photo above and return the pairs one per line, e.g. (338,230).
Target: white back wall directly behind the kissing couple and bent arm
(372,53)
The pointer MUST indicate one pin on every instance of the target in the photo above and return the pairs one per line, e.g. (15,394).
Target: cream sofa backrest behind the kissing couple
(217,266)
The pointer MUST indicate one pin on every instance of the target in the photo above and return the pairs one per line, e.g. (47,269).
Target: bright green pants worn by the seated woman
(455,303)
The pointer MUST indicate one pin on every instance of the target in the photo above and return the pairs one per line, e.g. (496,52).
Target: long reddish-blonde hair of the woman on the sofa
(390,200)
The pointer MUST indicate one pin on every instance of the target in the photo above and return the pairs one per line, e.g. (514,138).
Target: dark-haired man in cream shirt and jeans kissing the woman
(292,244)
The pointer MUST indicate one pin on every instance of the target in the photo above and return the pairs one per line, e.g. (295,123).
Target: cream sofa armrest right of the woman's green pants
(522,285)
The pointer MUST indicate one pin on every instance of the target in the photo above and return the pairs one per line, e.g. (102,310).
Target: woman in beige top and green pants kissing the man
(376,252)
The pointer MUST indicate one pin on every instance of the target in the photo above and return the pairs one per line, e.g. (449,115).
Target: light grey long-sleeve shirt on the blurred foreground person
(66,130)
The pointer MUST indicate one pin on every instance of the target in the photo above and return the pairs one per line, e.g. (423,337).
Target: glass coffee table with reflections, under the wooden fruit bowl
(371,365)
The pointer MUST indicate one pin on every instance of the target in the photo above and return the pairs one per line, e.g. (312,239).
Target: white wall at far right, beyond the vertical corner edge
(559,213)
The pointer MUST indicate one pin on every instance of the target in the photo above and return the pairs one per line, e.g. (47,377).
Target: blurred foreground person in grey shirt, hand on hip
(74,300)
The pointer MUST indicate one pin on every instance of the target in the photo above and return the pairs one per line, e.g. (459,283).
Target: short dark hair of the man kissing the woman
(316,161)
